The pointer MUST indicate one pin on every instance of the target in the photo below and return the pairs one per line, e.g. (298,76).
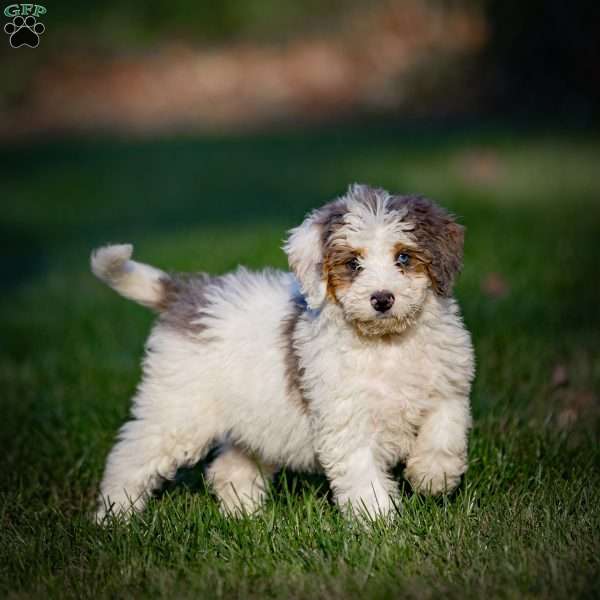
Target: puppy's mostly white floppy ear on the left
(304,248)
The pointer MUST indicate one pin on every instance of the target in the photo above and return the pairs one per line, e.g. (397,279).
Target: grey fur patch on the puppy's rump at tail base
(184,300)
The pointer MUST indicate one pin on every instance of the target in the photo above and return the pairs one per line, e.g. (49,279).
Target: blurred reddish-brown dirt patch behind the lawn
(410,57)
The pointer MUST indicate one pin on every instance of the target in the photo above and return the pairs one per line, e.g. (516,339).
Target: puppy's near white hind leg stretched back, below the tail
(148,452)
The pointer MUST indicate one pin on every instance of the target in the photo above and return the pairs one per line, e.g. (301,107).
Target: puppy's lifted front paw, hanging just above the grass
(435,473)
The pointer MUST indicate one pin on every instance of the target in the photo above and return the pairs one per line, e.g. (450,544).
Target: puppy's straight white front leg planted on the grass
(359,480)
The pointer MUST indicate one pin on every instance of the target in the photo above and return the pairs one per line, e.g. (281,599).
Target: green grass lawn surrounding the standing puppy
(526,520)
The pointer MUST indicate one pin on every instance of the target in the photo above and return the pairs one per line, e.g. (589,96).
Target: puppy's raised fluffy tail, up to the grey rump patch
(142,283)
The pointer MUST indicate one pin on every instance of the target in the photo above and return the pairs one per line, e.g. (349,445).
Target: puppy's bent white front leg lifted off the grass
(439,455)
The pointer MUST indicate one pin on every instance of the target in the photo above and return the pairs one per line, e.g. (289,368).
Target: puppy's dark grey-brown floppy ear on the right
(440,238)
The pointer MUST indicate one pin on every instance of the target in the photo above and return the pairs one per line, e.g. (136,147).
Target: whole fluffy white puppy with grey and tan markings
(355,361)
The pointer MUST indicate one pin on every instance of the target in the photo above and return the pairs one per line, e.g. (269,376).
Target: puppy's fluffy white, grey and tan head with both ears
(377,256)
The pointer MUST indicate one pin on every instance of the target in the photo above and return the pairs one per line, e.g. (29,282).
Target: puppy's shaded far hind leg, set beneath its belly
(239,481)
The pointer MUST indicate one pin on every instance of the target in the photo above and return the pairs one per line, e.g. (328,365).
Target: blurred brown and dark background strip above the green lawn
(165,66)
